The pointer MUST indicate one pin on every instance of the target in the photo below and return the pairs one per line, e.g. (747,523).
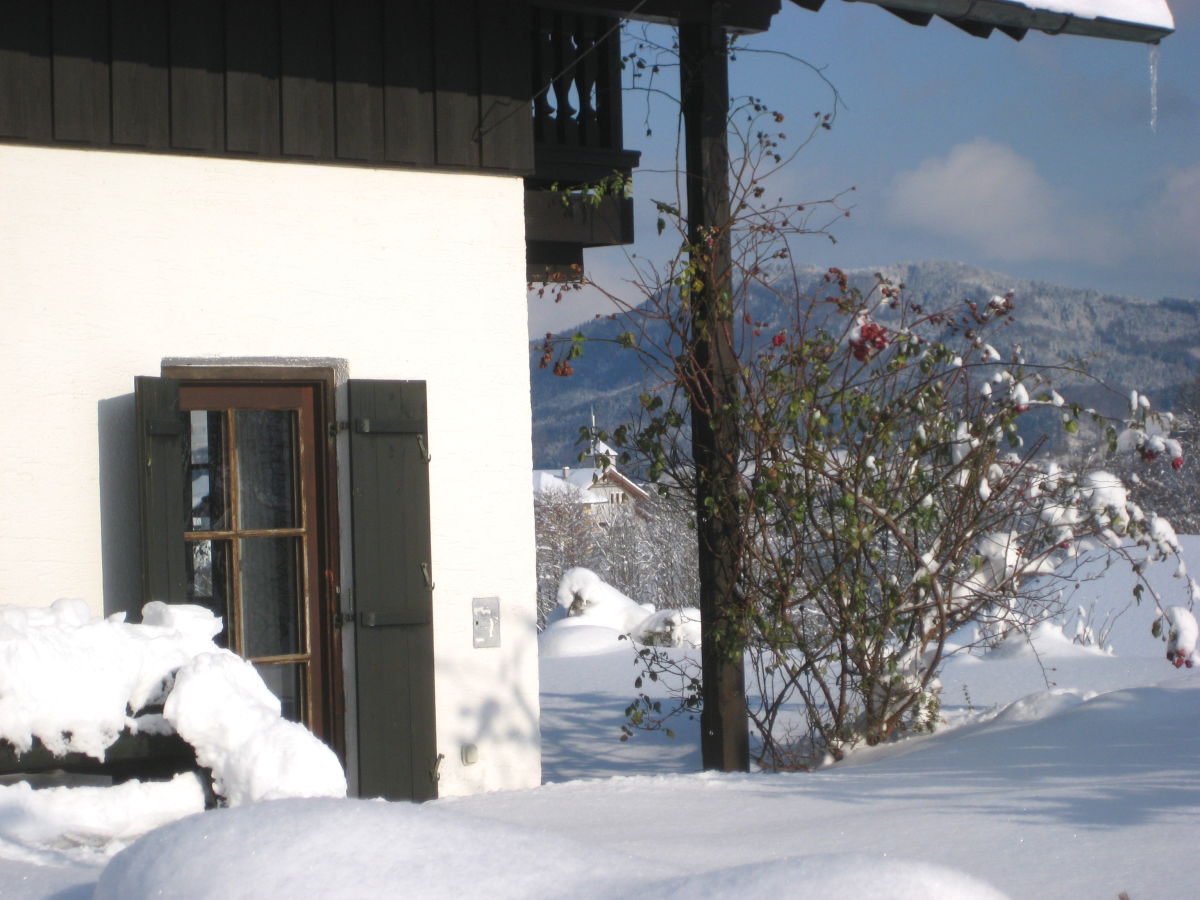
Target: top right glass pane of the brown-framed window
(266,469)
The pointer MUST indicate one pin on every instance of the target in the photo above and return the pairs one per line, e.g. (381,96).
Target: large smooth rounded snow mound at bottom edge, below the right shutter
(357,849)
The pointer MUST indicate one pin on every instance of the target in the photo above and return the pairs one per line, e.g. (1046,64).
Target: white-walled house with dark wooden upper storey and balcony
(263,271)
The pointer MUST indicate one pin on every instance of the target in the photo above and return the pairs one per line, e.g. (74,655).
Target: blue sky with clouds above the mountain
(1034,158)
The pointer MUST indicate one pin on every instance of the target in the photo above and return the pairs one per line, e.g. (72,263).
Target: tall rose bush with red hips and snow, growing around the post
(865,470)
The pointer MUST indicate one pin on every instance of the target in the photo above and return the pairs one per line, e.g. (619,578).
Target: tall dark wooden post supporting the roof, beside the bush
(704,75)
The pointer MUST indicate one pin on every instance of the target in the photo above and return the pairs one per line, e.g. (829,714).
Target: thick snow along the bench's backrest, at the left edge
(69,680)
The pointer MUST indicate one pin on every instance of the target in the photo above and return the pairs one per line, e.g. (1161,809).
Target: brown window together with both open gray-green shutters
(239,496)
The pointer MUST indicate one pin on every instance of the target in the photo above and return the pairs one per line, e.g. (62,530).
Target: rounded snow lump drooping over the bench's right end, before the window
(221,707)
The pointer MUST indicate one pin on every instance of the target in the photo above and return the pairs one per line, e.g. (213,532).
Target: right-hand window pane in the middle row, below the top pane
(271,597)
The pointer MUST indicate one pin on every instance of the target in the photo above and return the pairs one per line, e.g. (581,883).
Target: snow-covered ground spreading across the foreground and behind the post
(1065,772)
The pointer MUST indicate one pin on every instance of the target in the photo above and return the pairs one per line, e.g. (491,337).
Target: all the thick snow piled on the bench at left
(76,683)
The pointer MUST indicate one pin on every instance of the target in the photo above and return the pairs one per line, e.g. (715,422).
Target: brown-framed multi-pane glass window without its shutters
(253,533)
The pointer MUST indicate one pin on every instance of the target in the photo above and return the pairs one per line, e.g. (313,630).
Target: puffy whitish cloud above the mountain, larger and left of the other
(992,197)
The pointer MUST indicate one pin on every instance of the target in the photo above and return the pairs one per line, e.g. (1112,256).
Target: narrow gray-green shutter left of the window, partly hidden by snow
(161,490)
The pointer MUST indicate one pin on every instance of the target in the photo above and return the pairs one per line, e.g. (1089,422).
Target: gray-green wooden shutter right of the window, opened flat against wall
(393,590)
